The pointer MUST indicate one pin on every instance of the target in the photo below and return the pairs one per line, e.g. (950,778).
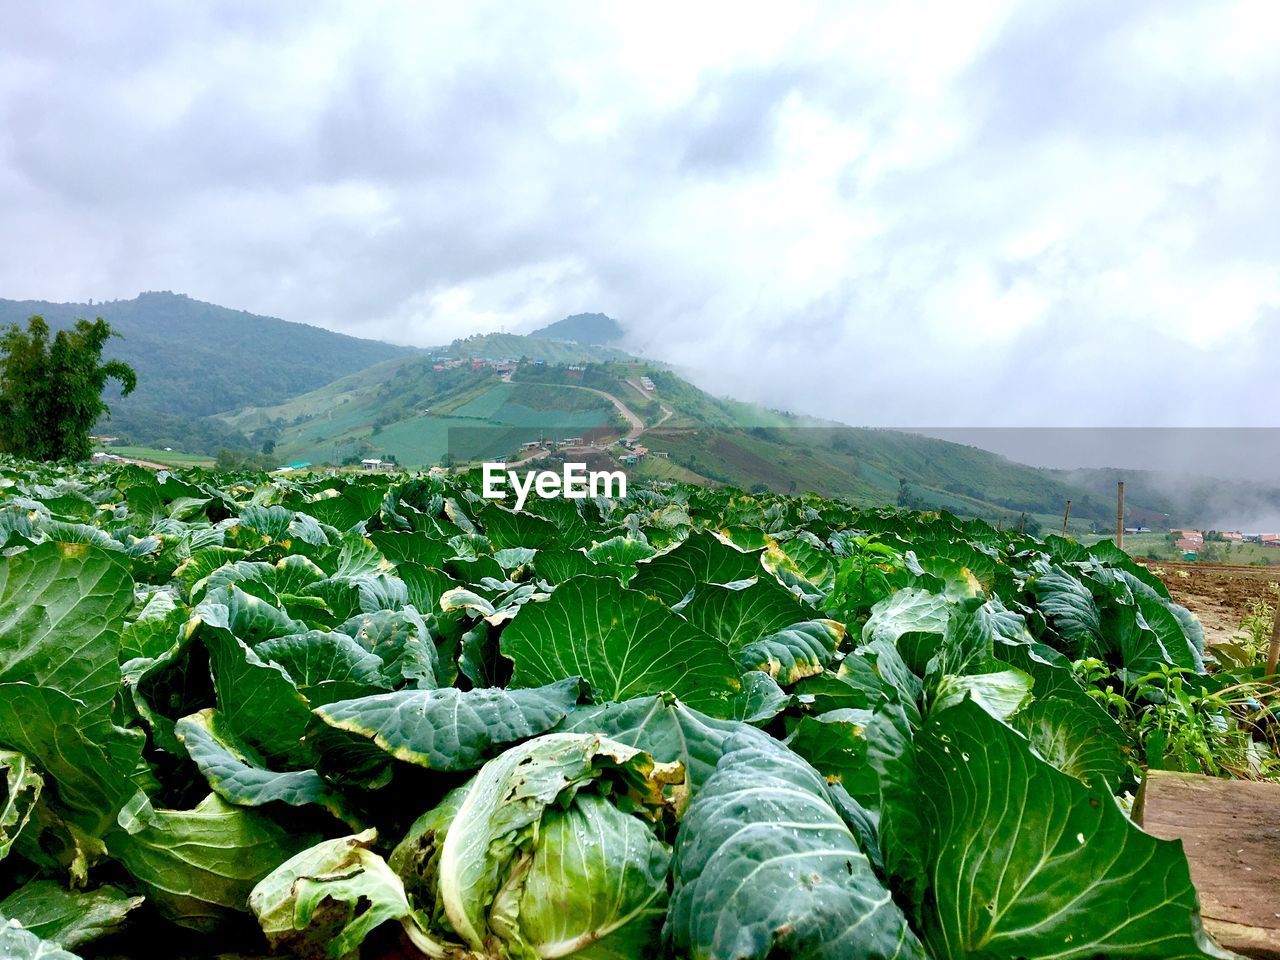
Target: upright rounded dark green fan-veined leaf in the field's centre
(623,643)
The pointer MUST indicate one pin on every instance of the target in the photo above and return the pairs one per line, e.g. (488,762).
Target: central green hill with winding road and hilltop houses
(409,410)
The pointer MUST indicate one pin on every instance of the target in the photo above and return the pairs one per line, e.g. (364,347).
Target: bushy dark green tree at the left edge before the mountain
(52,394)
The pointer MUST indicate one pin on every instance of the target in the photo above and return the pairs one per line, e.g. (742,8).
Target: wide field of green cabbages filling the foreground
(348,716)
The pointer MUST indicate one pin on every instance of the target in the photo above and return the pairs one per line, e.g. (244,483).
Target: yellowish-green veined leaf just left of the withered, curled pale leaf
(199,866)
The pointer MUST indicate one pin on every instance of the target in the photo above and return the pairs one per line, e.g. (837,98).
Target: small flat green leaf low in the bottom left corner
(65,917)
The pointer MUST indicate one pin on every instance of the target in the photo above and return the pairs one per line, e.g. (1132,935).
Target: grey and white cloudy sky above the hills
(894,214)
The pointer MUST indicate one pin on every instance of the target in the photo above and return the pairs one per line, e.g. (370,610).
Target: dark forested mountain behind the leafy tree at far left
(196,359)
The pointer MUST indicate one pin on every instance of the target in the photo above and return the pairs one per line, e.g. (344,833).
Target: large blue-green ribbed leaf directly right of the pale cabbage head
(766,867)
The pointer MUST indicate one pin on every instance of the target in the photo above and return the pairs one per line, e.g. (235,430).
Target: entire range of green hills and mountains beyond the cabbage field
(213,378)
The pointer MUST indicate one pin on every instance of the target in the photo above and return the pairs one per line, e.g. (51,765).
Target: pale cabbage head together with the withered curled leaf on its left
(555,849)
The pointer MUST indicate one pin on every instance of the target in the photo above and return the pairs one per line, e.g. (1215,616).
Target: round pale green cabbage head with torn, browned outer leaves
(555,849)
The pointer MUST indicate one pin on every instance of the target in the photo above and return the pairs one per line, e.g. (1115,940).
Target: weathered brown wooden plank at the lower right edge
(1231,830)
